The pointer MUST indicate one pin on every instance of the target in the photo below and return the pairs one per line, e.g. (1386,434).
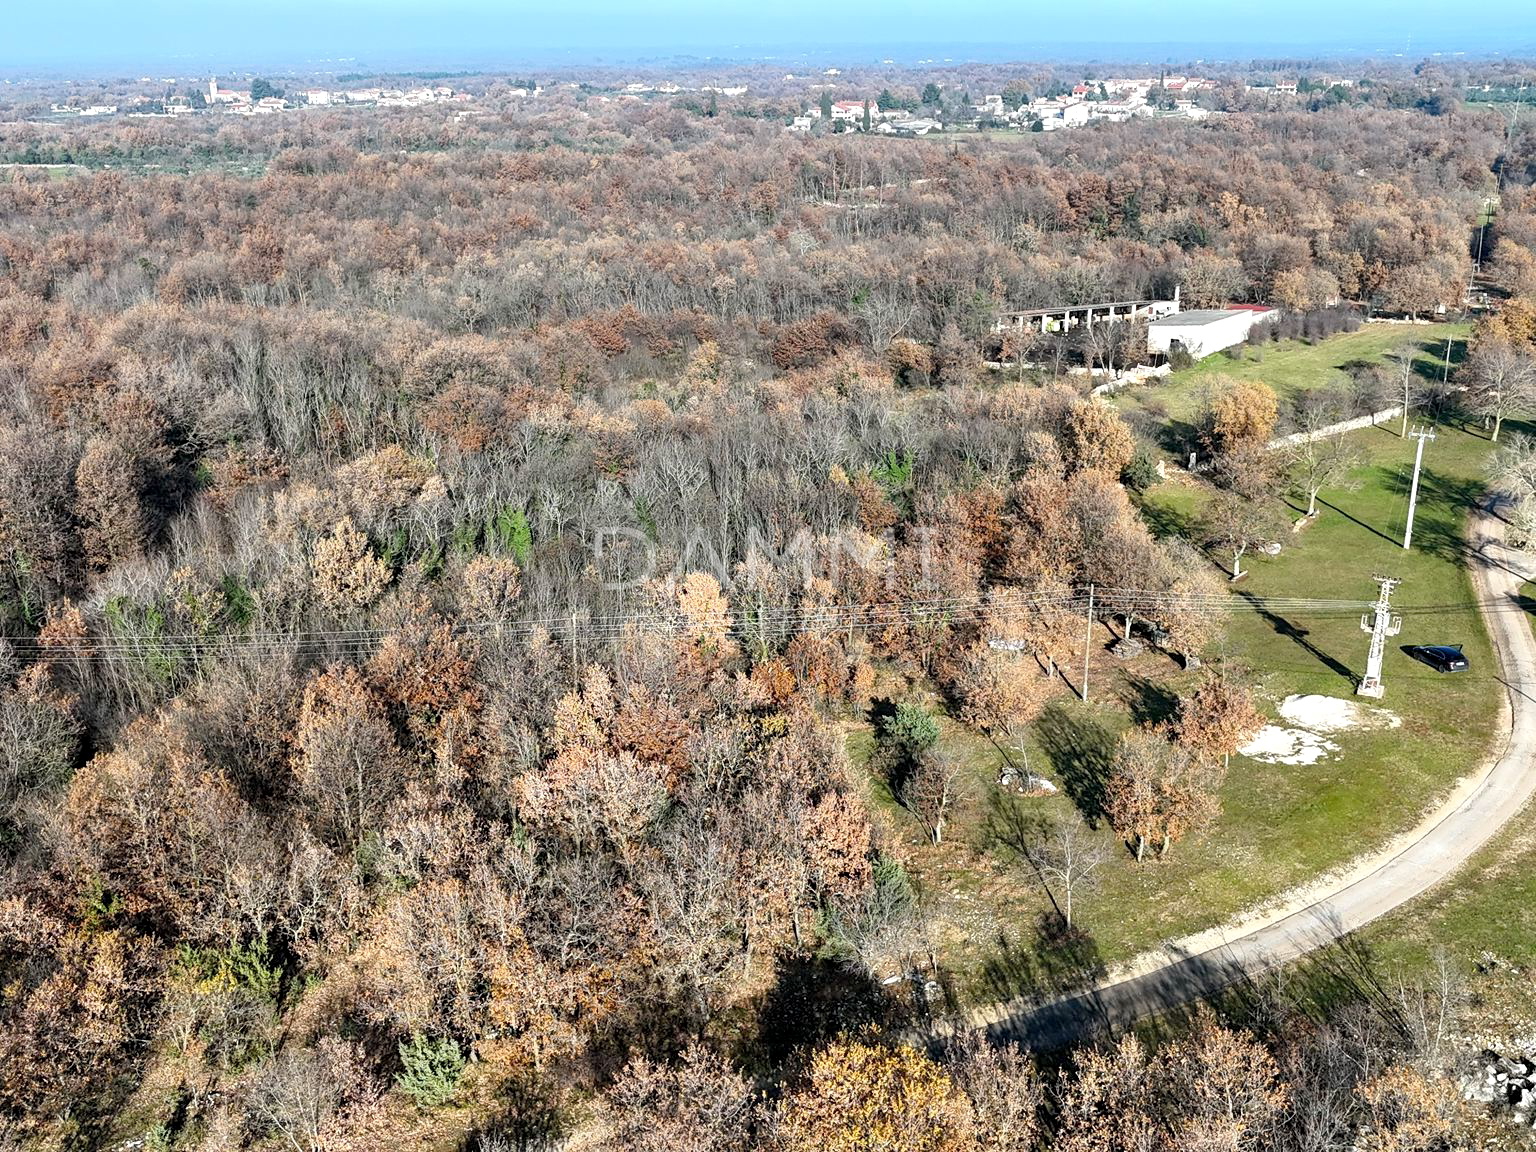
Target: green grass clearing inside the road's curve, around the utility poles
(1282,826)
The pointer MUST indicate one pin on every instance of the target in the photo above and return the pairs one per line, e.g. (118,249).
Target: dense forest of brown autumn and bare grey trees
(415,532)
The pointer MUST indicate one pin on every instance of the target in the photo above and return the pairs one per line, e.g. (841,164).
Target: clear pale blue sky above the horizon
(489,33)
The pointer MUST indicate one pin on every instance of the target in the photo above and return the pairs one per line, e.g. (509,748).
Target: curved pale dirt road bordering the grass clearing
(1443,842)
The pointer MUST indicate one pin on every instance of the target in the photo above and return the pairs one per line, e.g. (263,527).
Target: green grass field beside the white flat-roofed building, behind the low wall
(1294,366)
